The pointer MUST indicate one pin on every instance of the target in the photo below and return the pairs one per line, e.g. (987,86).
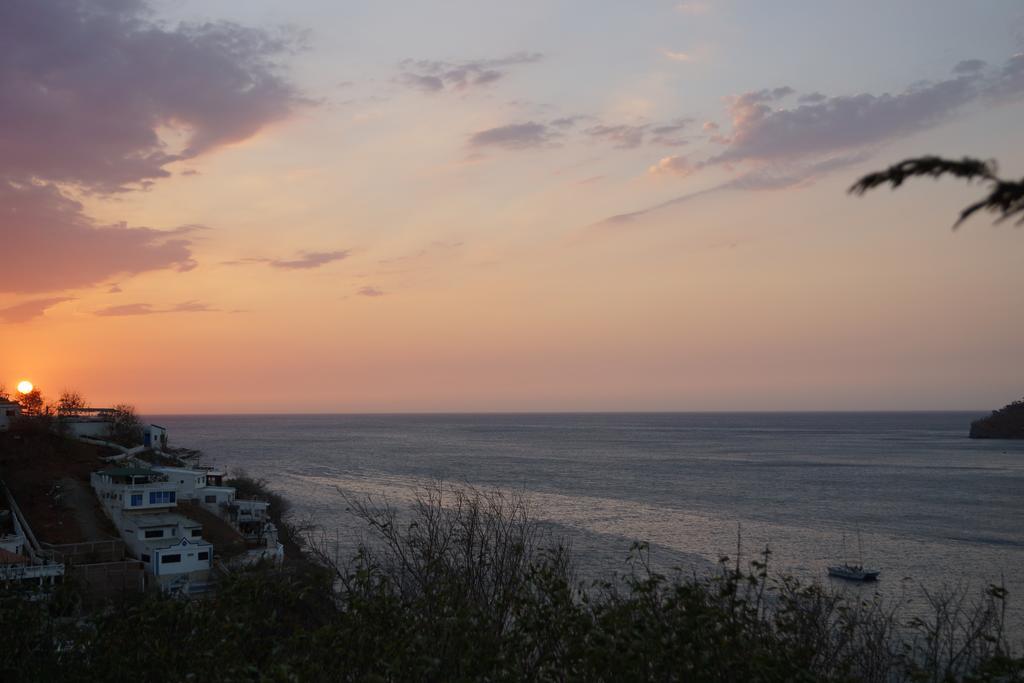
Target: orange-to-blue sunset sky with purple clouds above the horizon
(215,206)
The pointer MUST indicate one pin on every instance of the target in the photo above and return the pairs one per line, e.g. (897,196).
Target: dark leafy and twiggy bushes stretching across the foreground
(467,587)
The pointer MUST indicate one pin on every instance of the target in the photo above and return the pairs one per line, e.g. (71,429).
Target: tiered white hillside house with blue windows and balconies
(142,503)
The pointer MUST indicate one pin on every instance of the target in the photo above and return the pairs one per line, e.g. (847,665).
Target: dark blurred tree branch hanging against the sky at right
(1006,198)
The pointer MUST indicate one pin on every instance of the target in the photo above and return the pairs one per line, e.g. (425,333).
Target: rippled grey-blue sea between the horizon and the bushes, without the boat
(932,507)
